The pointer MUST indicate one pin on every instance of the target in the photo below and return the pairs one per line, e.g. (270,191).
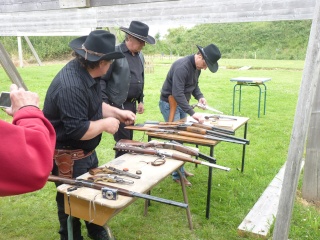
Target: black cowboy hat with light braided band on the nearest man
(98,45)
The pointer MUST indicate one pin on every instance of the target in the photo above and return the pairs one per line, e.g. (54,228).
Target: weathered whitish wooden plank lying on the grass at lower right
(261,216)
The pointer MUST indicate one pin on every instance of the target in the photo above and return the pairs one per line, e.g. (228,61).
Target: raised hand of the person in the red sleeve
(20,98)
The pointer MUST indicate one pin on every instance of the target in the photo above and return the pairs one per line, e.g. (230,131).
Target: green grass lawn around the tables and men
(33,215)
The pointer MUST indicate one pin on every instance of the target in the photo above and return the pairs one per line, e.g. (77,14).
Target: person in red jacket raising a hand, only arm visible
(26,145)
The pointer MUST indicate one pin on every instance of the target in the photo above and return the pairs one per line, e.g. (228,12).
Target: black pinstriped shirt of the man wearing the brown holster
(72,101)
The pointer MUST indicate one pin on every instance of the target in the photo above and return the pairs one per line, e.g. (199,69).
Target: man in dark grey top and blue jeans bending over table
(182,82)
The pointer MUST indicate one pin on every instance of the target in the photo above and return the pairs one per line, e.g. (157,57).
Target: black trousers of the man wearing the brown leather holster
(80,167)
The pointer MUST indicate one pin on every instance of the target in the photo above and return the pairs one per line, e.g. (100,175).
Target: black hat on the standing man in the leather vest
(139,30)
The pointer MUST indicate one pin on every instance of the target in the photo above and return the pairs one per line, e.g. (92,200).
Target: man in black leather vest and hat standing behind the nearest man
(123,84)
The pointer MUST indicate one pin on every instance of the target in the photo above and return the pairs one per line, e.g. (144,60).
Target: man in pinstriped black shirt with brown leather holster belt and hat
(74,106)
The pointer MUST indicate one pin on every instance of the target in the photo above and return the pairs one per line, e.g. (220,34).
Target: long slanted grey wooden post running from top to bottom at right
(309,84)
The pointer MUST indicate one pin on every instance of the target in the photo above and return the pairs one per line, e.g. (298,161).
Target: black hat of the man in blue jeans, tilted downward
(211,55)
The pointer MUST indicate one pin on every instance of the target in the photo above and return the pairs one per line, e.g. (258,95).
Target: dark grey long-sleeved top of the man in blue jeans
(182,81)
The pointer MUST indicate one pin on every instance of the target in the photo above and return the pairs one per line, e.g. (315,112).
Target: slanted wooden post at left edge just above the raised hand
(10,69)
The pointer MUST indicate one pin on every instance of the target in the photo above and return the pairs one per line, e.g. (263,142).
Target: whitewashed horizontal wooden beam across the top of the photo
(30,21)
